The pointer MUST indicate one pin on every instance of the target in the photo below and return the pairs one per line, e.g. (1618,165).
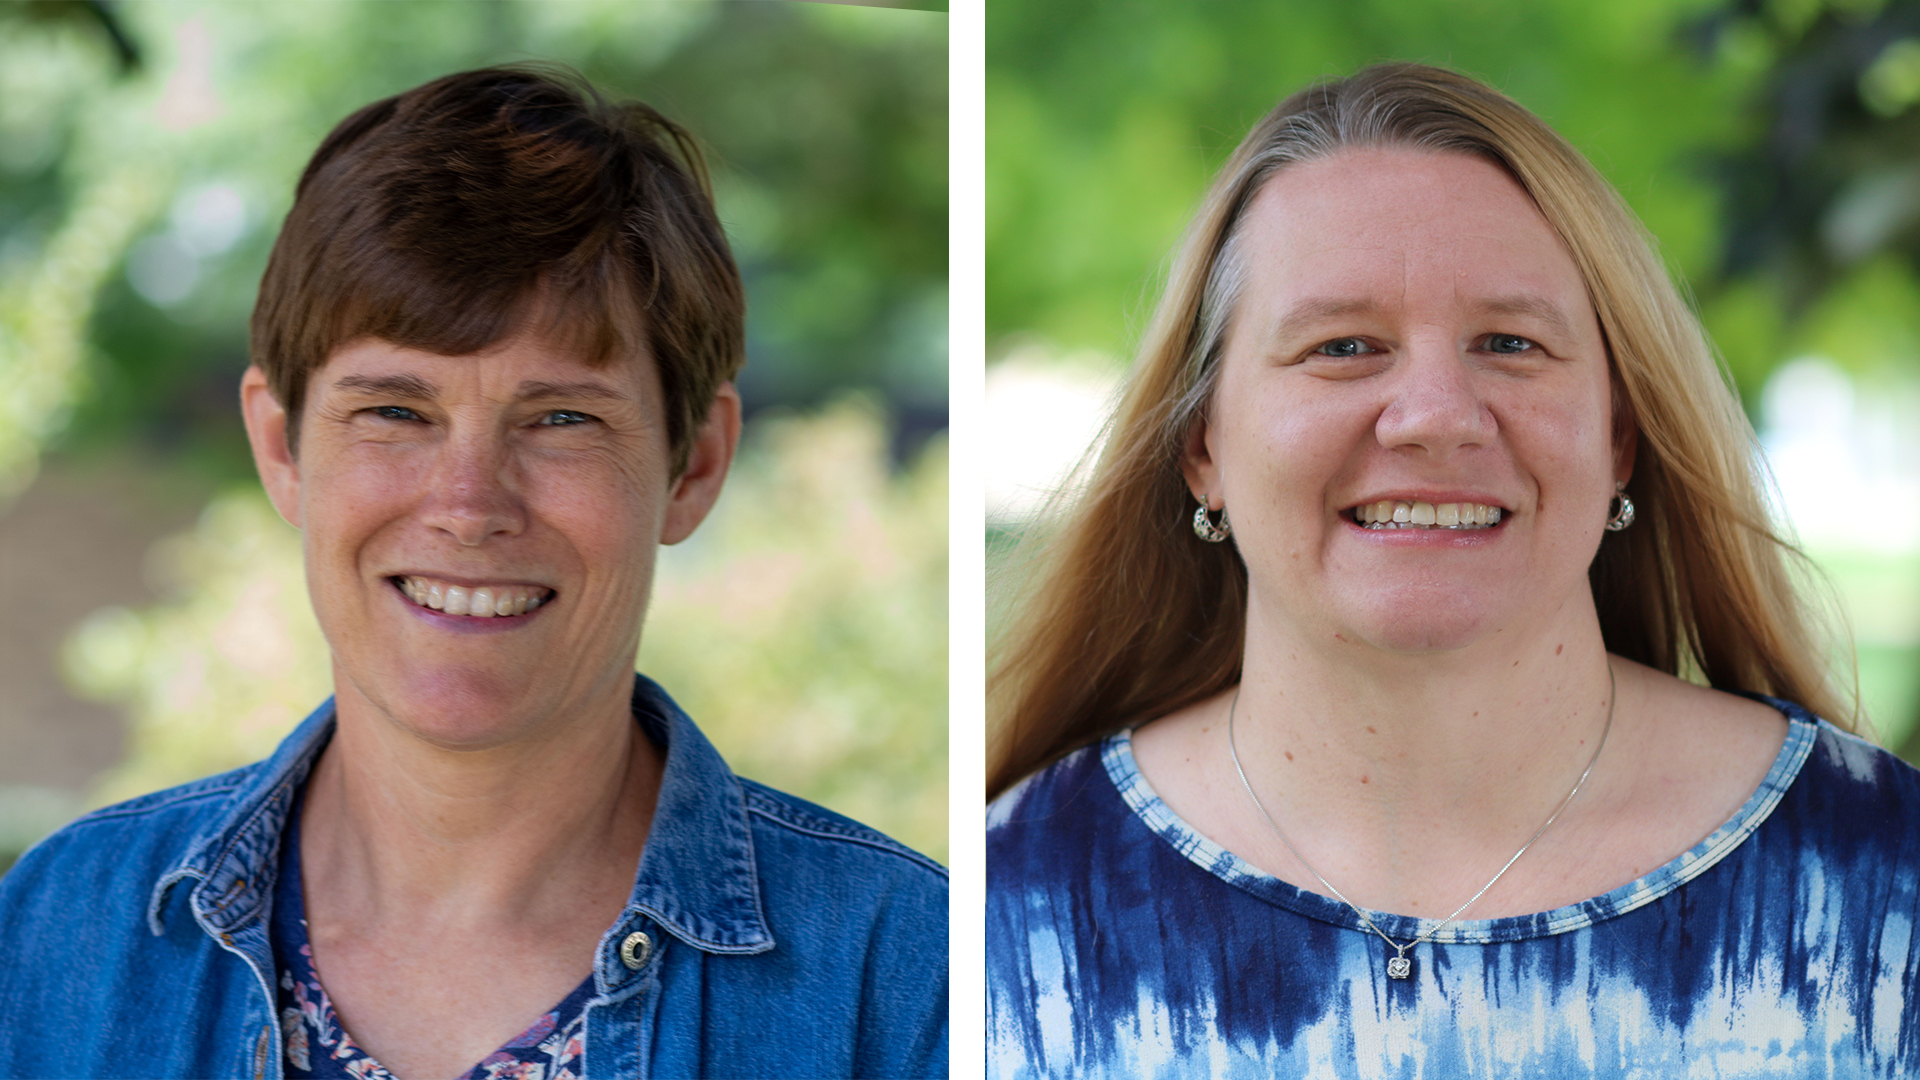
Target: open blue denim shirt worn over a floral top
(786,941)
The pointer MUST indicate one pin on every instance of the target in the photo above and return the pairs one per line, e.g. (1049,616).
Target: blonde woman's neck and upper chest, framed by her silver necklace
(1408,779)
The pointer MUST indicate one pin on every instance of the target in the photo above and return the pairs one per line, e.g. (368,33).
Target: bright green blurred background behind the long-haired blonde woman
(1773,147)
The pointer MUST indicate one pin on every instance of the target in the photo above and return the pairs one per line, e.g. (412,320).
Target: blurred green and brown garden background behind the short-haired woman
(147,157)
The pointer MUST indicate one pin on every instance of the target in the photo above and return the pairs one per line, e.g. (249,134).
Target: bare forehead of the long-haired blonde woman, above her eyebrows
(1393,228)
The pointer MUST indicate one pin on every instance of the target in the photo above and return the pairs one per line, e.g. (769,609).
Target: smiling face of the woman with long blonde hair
(1412,333)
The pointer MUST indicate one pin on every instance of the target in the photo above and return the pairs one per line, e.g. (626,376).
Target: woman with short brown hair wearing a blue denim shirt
(492,374)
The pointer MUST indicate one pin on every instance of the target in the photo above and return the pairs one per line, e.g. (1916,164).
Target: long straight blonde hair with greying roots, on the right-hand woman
(1124,616)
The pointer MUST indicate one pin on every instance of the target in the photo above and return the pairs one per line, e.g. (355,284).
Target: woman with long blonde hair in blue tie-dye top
(1418,683)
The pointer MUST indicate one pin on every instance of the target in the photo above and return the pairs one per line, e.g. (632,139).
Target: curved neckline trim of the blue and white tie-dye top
(1145,804)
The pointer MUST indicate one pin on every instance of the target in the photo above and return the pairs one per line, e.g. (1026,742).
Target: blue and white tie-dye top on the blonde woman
(1120,943)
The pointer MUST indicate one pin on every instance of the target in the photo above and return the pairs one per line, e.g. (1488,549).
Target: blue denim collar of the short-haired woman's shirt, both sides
(698,875)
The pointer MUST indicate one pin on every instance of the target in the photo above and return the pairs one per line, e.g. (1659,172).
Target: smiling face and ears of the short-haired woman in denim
(517,478)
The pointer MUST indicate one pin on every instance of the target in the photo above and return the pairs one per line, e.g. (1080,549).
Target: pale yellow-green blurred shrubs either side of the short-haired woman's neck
(804,627)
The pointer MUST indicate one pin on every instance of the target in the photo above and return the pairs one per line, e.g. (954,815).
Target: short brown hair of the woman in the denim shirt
(458,214)
